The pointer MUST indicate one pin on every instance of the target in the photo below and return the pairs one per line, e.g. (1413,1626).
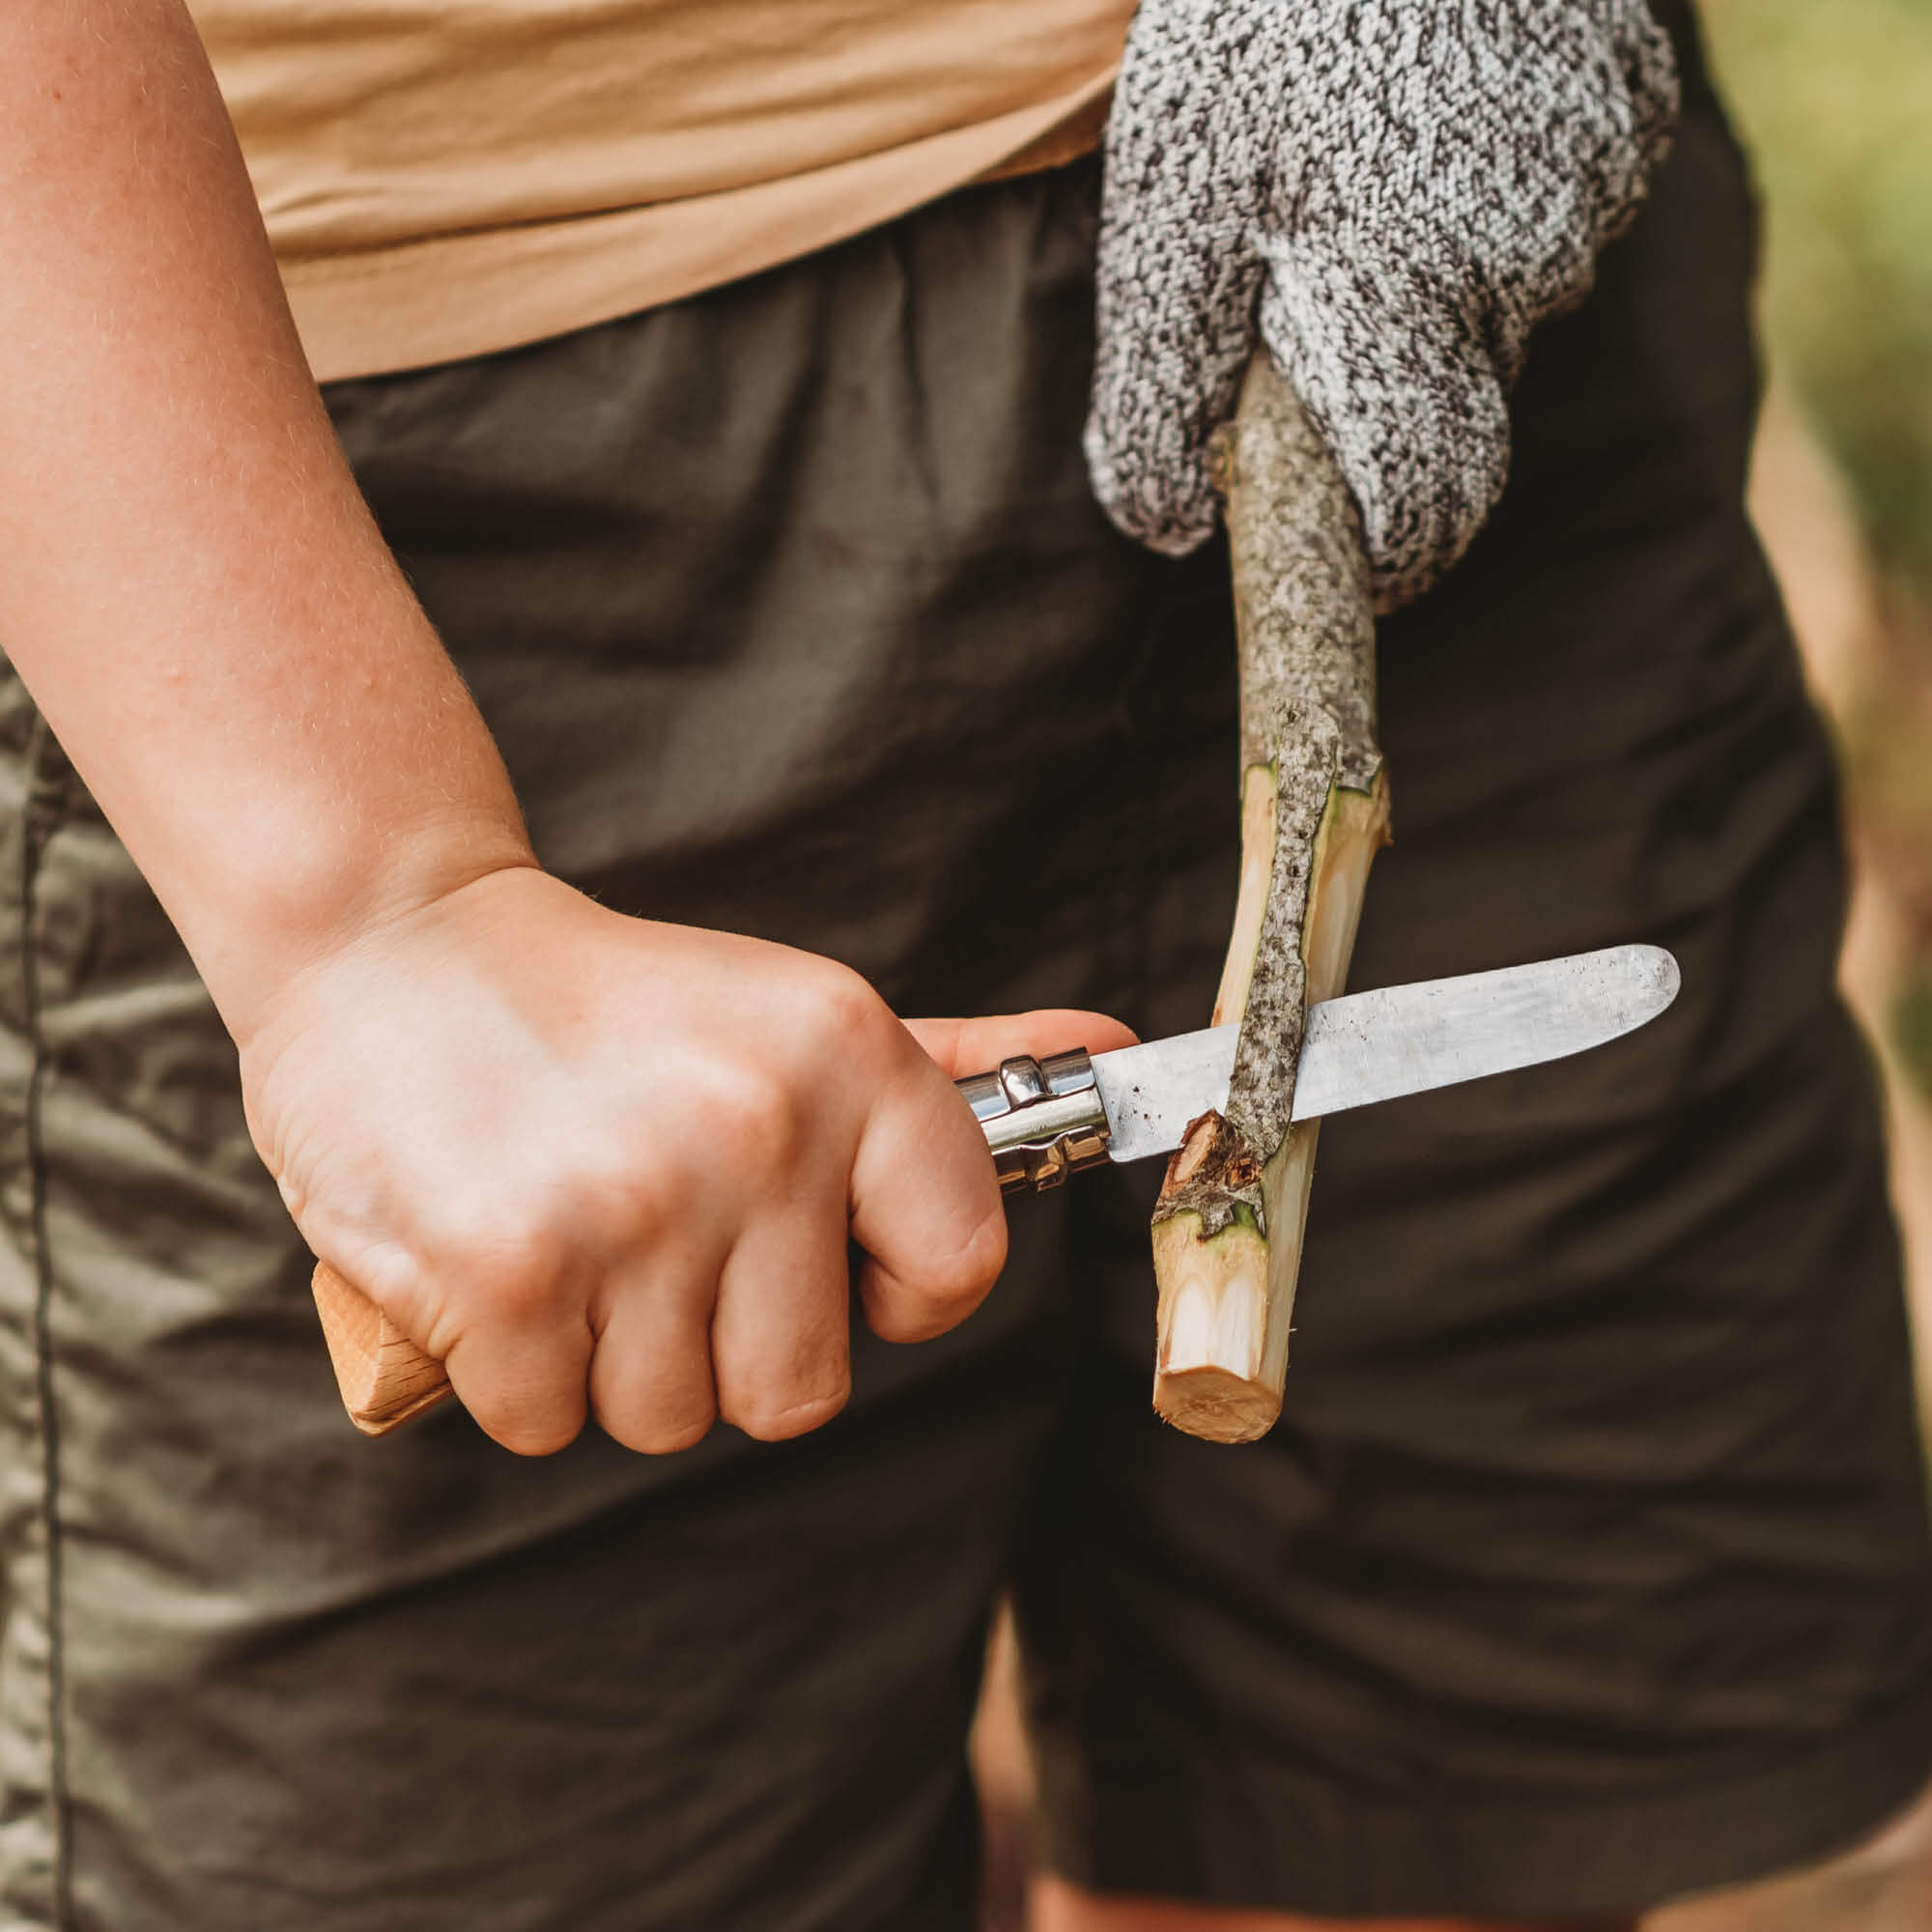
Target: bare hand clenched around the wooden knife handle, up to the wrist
(602,1164)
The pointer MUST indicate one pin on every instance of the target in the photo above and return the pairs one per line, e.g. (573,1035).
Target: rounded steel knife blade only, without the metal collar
(1398,1040)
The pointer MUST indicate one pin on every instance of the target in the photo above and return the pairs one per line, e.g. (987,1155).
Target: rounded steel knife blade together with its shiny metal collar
(1046,1120)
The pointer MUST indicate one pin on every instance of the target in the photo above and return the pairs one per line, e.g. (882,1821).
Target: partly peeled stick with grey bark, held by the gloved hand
(1228,1230)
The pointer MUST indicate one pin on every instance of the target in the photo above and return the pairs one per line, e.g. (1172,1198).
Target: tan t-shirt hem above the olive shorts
(453,177)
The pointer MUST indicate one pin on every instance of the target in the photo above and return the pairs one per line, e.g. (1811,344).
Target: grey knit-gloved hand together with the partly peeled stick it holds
(1365,206)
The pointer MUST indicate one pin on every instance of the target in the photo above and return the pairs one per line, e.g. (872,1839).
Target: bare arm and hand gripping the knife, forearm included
(598,1164)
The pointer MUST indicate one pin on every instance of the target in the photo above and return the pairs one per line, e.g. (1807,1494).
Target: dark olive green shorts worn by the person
(1589,1560)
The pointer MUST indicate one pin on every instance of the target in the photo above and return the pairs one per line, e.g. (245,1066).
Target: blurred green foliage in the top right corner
(1834,99)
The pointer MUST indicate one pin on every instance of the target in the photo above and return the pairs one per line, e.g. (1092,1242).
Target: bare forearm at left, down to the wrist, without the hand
(190,582)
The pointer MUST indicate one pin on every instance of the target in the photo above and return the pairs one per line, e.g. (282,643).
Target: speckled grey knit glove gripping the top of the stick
(1394,192)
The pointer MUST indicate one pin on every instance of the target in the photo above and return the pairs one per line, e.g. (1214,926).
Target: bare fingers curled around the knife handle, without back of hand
(751,1321)
